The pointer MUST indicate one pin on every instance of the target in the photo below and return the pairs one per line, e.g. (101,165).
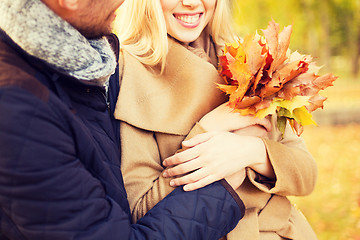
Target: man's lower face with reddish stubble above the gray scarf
(92,18)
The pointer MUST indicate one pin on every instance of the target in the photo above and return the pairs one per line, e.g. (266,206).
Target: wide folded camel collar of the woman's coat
(172,102)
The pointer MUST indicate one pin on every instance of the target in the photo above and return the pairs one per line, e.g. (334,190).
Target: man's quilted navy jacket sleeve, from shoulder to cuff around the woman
(47,193)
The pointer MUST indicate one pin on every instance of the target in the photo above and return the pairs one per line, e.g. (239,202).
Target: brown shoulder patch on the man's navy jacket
(16,71)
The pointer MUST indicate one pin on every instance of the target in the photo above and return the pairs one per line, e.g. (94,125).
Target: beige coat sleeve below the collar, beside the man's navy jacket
(142,170)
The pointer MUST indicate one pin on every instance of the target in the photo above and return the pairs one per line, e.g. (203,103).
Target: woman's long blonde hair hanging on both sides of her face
(141,29)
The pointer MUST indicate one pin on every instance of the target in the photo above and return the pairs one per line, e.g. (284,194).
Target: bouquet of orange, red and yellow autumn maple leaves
(264,77)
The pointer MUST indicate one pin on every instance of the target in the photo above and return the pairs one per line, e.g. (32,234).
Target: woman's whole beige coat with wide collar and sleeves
(158,111)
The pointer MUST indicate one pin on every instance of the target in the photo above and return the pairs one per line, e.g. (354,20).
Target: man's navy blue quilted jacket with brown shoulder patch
(60,164)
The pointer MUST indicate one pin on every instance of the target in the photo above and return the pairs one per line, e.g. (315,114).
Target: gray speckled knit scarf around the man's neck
(45,35)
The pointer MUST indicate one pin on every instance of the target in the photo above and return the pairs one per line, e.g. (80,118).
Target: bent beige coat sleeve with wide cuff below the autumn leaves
(294,166)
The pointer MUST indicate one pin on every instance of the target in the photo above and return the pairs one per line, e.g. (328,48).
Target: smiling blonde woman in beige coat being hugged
(168,93)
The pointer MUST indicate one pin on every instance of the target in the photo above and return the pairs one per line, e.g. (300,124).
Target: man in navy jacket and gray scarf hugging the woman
(59,158)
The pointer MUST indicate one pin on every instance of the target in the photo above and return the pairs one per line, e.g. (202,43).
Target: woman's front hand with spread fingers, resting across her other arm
(213,156)
